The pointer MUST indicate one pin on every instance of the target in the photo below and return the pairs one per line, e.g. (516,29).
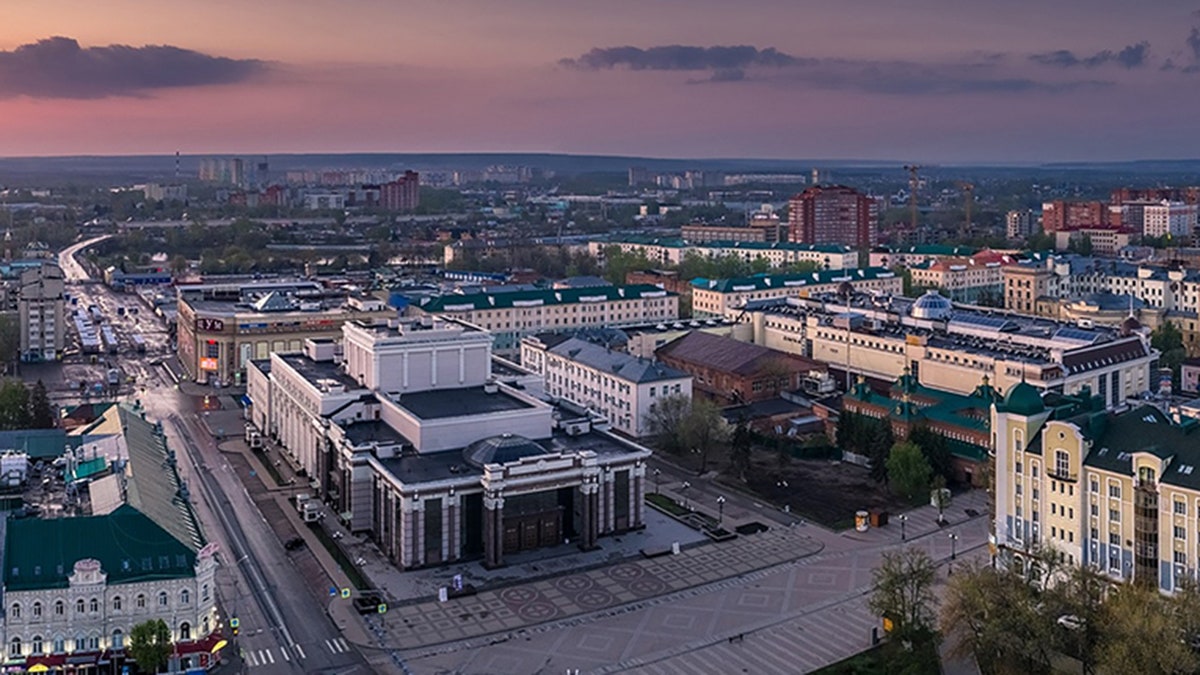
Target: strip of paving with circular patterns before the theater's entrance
(598,590)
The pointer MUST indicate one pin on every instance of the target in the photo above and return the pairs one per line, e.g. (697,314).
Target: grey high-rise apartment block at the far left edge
(40,307)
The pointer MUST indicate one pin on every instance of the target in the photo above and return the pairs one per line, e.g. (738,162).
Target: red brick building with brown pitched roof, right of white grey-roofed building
(731,372)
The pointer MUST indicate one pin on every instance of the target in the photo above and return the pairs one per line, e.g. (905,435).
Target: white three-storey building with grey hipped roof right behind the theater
(621,387)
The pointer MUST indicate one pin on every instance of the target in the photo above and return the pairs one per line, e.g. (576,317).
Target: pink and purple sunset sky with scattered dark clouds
(925,81)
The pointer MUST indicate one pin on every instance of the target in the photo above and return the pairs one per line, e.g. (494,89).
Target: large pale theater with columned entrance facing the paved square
(407,437)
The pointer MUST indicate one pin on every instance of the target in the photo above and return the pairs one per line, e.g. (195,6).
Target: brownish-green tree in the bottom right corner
(1141,635)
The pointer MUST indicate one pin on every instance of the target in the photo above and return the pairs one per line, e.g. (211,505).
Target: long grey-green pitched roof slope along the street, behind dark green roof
(154,487)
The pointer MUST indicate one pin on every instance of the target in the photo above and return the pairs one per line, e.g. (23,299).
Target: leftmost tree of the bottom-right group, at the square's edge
(904,594)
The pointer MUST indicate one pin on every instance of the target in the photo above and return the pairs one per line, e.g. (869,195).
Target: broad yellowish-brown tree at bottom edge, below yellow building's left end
(993,617)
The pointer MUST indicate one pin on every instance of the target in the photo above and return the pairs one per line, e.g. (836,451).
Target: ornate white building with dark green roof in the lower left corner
(75,588)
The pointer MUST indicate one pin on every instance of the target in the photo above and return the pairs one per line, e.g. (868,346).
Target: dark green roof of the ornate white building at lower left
(130,547)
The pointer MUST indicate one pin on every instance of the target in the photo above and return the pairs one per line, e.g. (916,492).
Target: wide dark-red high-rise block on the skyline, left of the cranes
(833,214)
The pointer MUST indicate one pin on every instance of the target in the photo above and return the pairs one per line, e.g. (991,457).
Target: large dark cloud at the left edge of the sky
(58,68)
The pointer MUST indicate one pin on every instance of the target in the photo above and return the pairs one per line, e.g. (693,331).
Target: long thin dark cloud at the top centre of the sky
(681,58)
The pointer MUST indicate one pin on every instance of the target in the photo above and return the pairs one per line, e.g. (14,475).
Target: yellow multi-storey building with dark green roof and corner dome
(1118,492)
